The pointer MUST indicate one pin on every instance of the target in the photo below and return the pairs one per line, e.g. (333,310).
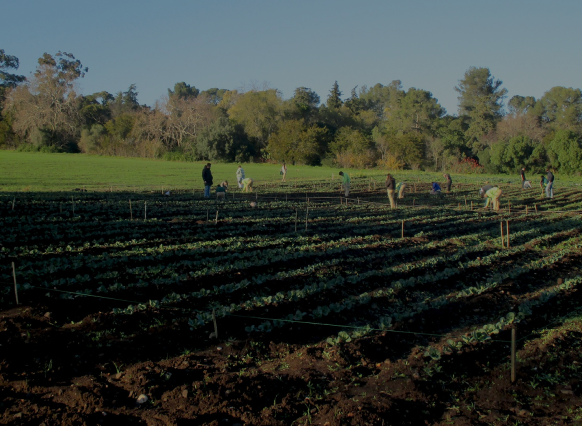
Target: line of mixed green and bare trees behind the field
(380,126)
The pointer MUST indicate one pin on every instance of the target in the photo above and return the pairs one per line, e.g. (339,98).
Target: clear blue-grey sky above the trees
(530,45)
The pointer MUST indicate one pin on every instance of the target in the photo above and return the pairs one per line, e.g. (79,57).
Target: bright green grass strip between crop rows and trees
(22,171)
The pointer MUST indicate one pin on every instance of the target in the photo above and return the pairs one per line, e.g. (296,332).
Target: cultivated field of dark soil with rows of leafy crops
(138,308)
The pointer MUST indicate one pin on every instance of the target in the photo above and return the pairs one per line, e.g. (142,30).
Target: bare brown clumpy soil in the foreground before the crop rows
(50,375)
